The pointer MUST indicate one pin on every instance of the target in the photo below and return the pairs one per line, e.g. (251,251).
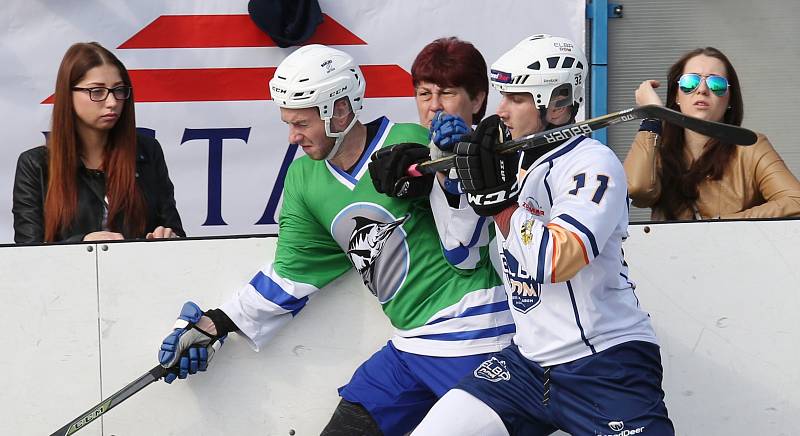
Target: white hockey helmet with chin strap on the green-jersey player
(316,76)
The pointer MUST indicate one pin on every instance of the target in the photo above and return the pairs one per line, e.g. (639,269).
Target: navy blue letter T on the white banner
(215,137)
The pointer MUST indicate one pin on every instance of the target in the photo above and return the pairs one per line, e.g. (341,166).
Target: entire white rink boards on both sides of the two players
(722,296)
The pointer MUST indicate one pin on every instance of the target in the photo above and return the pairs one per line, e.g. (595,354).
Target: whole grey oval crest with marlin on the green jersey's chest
(375,243)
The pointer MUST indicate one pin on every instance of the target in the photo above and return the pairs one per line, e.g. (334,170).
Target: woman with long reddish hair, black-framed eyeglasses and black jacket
(96,179)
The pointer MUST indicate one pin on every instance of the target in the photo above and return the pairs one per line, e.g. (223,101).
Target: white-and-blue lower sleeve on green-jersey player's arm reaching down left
(265,304)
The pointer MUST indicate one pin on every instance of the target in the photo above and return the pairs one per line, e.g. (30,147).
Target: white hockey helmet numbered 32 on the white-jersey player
(544,66)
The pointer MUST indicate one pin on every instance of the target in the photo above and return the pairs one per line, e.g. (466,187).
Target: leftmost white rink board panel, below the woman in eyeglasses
(50,365)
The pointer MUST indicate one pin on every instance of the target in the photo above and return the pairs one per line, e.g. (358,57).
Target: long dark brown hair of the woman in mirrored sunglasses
(679,180)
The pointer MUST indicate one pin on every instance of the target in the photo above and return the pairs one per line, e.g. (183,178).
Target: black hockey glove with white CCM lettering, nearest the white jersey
(488,178)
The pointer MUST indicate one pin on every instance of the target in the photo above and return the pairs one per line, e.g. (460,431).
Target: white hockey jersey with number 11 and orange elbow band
(564,270)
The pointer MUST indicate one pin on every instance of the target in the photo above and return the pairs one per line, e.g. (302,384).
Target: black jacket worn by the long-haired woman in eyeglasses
(30,188)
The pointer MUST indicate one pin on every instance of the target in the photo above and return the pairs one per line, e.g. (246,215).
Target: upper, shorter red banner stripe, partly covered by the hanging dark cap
(210,31)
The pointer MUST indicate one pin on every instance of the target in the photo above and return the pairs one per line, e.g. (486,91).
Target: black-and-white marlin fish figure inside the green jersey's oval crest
(366,244)
